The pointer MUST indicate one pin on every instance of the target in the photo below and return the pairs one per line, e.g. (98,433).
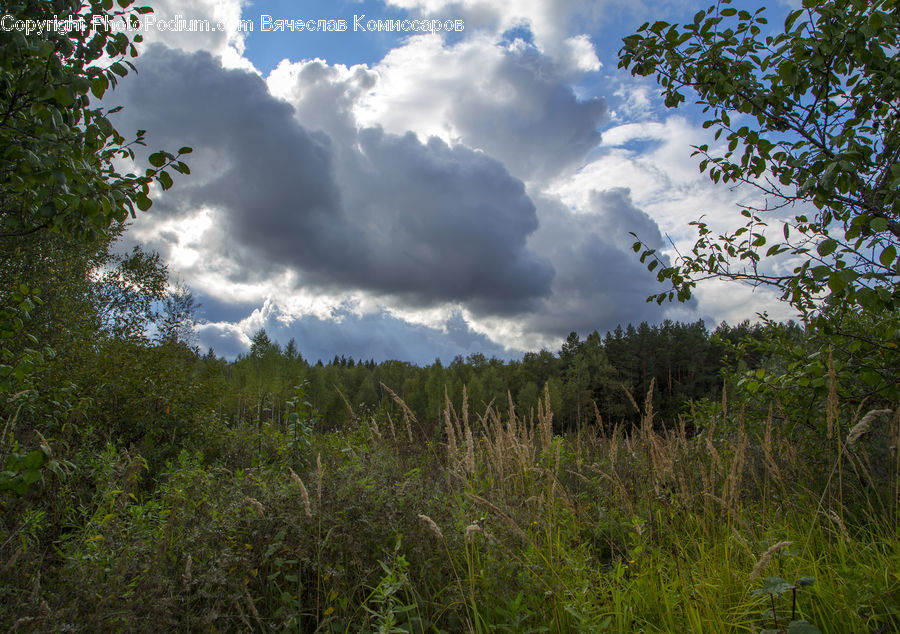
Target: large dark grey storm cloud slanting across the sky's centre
(425,221)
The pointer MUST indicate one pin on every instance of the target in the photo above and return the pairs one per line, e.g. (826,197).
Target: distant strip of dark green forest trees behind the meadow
(599,379)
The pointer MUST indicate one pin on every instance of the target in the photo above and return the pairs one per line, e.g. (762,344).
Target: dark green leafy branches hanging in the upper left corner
(57,152)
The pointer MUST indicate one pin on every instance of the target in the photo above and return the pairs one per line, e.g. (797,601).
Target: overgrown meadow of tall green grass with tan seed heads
(486,520)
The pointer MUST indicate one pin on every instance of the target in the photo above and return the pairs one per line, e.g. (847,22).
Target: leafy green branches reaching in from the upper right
(822,134)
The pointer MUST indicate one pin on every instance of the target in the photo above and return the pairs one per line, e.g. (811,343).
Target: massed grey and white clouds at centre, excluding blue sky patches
(402,210)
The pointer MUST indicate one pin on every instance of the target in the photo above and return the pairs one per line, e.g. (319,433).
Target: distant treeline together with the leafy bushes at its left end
(117,365)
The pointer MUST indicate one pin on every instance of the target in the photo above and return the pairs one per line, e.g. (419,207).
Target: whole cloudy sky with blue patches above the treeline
(418,196)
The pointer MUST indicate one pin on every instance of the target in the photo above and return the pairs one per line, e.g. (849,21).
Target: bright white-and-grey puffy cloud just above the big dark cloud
(517,106)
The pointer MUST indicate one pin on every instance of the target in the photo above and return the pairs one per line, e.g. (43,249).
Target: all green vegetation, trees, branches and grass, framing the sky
(666,477)
